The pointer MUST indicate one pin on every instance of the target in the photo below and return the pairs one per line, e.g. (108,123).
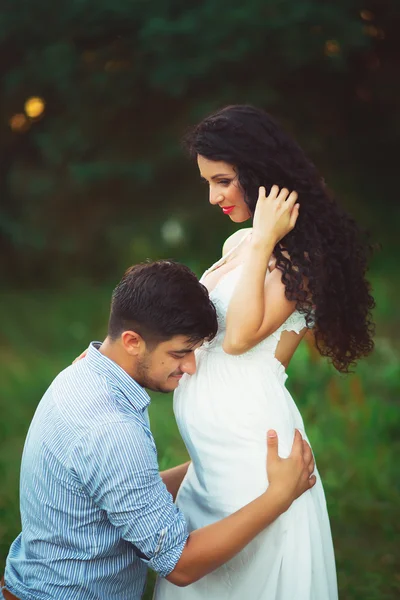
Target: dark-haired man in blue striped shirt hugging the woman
(96,512)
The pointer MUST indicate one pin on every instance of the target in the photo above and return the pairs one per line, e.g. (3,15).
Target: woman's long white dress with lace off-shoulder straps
(223,413)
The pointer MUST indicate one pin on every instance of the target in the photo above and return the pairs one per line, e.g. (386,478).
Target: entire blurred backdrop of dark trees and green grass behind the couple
(97,181)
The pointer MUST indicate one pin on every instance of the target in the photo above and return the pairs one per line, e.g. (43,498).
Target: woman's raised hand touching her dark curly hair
(275,215)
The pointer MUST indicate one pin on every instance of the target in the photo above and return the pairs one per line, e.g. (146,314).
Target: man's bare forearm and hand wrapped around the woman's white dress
(210,547)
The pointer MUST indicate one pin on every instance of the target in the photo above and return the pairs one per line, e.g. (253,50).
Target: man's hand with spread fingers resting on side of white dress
(290,477)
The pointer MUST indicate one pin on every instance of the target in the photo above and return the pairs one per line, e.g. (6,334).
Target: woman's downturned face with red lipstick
(225,190)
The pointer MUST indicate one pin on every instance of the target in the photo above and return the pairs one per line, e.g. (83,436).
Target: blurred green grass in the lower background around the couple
(353,423)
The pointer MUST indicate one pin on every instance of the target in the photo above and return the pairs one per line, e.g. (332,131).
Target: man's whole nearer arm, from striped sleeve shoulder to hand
(121,474)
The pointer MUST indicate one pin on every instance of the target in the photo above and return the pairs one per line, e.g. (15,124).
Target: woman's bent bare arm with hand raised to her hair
(259,305)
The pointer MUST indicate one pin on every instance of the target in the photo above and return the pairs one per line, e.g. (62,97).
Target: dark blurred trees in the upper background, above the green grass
(122,80)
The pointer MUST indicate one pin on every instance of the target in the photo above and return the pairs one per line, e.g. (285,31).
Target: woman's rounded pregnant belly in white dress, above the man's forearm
(223,414)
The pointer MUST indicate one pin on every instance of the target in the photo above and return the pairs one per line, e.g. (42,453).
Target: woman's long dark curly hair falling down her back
(325,273)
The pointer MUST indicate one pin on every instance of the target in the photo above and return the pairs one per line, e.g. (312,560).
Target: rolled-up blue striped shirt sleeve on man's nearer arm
(118,468)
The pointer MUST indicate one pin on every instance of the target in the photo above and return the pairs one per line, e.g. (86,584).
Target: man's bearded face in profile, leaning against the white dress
(162,368)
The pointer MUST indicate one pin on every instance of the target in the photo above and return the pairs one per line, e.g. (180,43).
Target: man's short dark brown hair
(159,300)
